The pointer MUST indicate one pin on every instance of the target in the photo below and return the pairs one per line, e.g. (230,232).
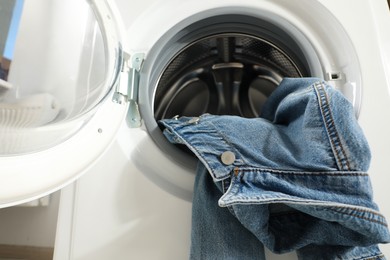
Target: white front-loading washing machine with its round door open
(88,81)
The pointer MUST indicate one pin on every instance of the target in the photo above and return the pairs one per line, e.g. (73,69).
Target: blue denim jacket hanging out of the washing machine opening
(293,179)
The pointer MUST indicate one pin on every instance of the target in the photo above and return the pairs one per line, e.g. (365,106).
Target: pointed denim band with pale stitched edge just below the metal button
(324,199)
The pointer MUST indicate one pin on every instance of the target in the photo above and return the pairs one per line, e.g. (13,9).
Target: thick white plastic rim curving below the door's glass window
(24,178)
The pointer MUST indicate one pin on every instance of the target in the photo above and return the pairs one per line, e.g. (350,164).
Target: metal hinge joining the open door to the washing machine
(127,88)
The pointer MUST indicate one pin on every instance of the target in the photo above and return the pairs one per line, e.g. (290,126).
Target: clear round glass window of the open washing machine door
(56,67)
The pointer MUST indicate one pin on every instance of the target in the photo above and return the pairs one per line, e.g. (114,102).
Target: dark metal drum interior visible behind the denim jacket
(228,73)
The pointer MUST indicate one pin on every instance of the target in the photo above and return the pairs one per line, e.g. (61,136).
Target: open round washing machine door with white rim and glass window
(60,105)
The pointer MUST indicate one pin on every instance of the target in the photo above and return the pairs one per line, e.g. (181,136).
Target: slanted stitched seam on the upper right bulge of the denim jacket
(337,147)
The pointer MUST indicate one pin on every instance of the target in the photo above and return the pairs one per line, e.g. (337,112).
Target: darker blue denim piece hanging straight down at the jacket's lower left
(216,233)
